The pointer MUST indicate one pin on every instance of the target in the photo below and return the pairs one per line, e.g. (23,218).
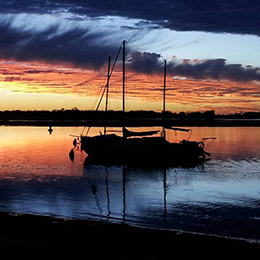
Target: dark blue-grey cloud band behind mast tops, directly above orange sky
(83,47)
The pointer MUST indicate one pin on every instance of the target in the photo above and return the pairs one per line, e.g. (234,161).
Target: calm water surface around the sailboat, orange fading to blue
(221,197)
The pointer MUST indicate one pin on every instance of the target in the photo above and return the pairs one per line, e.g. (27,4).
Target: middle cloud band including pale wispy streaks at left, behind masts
(89,43)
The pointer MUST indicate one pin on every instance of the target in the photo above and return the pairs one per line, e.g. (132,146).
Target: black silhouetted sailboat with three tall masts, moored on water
(141,148)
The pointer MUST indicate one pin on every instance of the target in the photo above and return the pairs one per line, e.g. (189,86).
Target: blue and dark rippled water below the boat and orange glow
(185,199)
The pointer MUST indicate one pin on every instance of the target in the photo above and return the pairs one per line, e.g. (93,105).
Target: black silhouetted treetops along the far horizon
(76,114)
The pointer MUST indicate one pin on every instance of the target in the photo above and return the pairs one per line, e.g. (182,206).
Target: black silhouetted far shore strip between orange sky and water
(86,117)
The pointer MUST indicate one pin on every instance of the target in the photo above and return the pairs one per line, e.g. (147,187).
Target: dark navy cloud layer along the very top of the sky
(232,16)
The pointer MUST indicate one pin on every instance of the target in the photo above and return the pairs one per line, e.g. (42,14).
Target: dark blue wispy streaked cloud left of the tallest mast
(73,45)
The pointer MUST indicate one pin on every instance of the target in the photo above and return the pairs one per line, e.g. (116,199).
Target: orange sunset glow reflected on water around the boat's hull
(32,151)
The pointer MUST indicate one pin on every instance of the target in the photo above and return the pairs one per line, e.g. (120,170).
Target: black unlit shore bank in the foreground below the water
(43,236)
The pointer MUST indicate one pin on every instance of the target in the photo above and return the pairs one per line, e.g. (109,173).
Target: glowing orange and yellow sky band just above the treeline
(32,85)
